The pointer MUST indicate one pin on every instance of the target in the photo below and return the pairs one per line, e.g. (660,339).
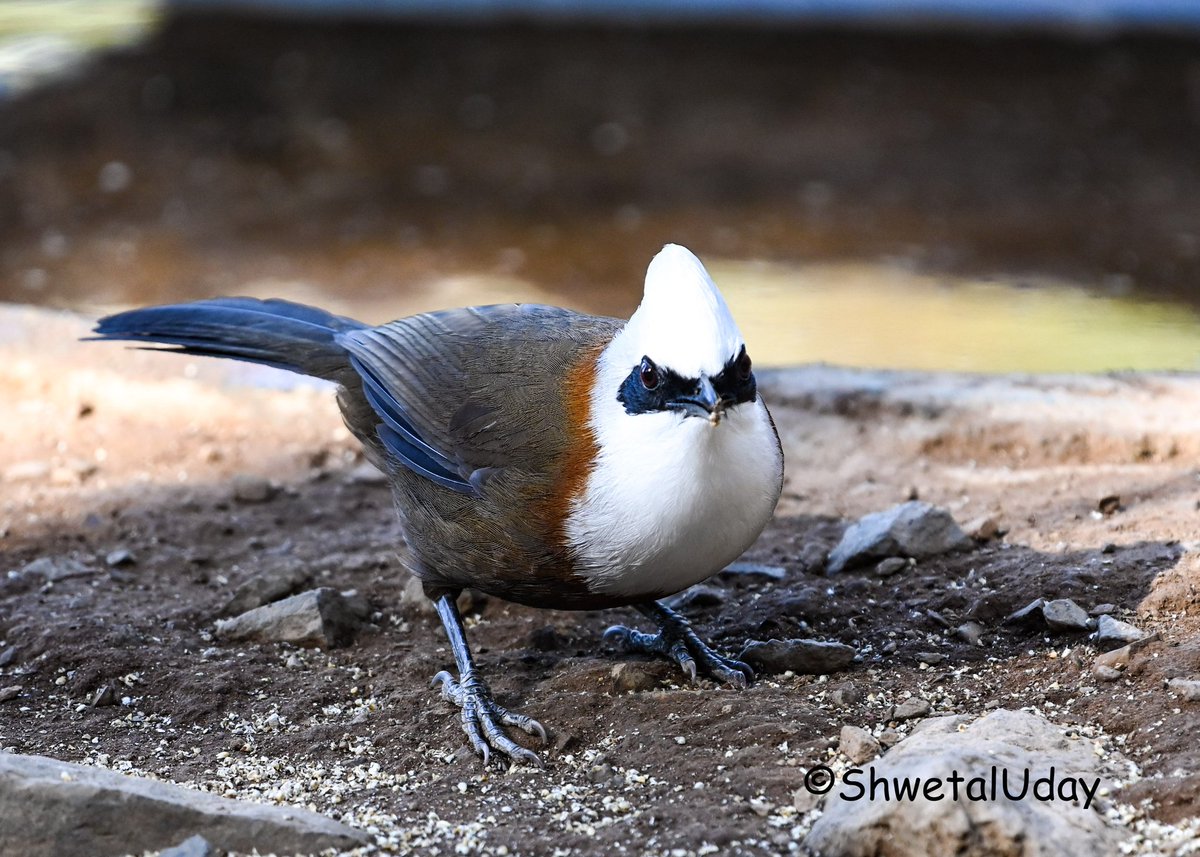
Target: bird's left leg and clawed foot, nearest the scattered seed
(482,715)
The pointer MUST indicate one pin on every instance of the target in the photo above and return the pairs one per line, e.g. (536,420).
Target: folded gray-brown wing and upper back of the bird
(461,395)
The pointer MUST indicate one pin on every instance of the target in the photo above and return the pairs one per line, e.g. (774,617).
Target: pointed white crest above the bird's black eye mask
(683,322)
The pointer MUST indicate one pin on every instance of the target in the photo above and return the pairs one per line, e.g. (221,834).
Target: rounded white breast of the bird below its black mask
(673,500)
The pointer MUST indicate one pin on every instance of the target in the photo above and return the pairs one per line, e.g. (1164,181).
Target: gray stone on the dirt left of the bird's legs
(319,618)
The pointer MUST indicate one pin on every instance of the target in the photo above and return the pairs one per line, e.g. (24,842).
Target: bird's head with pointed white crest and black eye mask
(681,352)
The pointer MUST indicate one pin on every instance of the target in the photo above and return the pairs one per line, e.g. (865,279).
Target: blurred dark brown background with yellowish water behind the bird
(909,185)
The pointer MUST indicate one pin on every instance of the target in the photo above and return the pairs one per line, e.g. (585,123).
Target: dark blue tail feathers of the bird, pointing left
(275,333)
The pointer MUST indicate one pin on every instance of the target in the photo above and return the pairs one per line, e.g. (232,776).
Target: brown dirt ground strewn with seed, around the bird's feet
(109,451)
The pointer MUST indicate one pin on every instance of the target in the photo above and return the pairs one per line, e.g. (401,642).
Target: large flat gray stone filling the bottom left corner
(51,808)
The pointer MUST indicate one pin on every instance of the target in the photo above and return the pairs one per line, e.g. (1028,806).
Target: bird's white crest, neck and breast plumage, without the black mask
(673,499)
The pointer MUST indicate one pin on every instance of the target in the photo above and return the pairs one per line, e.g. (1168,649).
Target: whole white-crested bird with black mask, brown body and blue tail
(542,456)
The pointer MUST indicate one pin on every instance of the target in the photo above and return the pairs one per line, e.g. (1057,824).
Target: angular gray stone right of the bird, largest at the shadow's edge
(911,530)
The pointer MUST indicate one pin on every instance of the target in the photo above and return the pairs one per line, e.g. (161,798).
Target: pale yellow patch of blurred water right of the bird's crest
(881,316)
